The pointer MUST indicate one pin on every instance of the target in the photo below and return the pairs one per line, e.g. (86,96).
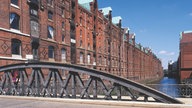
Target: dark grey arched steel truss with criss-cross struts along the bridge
(43,79)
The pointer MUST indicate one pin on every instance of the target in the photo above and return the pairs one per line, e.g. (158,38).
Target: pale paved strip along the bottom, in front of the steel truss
(36,102)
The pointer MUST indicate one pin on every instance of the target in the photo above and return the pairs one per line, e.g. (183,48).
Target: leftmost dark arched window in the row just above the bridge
(16,47)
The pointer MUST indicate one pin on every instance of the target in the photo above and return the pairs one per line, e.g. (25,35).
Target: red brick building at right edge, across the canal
(185,58)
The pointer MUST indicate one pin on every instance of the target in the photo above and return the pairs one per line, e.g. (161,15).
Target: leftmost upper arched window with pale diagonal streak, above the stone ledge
(14,21)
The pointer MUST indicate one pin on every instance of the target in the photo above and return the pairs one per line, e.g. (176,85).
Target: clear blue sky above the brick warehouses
(156,23)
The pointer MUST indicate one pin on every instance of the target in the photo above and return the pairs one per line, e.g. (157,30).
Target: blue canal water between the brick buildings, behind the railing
(168,86)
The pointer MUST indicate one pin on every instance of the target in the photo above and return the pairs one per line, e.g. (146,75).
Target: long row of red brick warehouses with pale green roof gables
(72,31)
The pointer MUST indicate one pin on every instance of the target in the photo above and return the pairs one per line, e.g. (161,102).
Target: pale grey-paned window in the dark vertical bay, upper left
(34,29)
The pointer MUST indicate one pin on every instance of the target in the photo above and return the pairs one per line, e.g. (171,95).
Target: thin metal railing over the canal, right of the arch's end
(174,90)
